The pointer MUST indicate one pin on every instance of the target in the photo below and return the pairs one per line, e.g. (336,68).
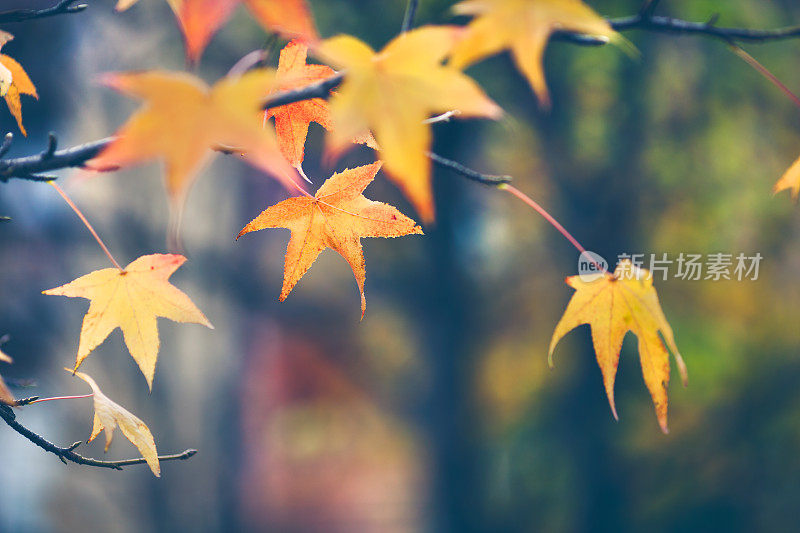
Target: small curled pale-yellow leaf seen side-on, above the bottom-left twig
(108,415)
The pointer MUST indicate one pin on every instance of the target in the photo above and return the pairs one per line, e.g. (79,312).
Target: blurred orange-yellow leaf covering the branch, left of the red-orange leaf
(183,120)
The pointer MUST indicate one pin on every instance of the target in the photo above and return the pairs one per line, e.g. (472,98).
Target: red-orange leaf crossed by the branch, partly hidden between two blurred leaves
(292,120)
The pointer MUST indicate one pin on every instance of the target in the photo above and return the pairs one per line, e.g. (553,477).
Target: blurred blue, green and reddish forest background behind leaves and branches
(437,412)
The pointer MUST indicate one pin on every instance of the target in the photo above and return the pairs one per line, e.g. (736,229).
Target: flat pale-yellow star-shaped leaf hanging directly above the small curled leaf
(131,300)
